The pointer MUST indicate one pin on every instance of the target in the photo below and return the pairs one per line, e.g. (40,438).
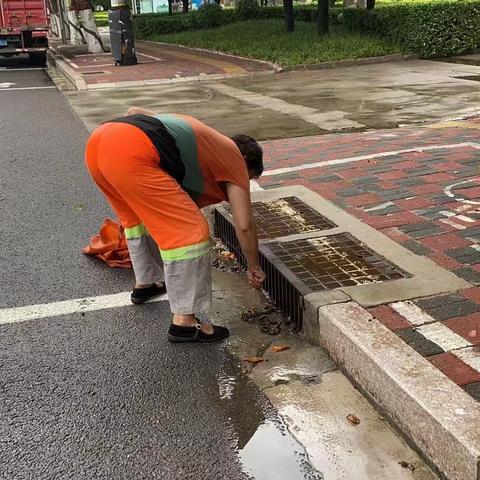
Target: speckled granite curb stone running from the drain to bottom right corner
(442,420)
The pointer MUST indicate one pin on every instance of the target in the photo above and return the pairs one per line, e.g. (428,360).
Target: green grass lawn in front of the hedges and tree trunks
(268,40)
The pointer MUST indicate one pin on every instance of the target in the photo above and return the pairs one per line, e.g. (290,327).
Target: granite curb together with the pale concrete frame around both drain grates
(435,413)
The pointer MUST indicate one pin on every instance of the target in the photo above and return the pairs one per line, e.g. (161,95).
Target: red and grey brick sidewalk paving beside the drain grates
(406,196)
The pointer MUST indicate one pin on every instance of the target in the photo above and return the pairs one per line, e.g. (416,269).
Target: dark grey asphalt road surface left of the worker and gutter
(99,395)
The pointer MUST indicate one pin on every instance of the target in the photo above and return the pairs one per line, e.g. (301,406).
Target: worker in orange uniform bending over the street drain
(157,171)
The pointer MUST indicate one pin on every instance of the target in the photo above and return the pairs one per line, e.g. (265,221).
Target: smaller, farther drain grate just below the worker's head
(287,216)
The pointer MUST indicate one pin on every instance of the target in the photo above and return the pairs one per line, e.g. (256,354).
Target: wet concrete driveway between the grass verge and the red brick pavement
(294,104)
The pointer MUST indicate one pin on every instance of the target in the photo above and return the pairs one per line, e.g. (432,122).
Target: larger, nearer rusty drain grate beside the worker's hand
(325,263)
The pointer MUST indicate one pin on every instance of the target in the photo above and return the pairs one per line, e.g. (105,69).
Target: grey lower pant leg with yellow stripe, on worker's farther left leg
(146,261)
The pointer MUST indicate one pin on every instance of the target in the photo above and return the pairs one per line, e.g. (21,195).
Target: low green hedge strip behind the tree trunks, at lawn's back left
(149,24)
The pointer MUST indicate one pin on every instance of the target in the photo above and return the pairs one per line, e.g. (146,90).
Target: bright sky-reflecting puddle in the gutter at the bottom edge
(272,453)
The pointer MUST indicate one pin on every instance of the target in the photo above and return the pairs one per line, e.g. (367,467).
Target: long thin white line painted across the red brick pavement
(392,153)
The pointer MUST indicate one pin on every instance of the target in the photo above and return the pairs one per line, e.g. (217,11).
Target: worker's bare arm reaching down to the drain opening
(244,223)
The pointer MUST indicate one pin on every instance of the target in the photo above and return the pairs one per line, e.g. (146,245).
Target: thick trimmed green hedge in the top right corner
(429,29)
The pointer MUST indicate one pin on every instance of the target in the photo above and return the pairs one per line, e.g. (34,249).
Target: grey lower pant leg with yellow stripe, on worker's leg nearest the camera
(188,276)
